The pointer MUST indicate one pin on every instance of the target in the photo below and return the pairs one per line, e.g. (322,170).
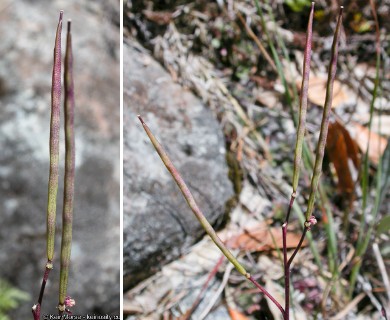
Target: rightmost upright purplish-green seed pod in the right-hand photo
(325,118)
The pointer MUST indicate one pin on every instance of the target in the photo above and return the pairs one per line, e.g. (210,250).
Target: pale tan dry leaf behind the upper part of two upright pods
(317,91)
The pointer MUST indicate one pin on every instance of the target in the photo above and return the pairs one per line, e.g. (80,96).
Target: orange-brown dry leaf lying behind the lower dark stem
(262,237)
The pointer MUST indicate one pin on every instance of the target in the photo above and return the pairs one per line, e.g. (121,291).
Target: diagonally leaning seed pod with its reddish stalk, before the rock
(200,216)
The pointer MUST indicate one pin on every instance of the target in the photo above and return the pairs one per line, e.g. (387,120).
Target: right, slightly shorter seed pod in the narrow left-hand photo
(67,214)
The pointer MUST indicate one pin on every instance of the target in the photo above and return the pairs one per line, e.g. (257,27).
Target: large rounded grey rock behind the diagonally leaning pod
(158,225)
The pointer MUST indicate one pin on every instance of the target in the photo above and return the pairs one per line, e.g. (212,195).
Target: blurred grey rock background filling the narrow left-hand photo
(27,32)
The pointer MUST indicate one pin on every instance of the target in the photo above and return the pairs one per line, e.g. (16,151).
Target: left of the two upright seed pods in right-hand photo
(303,101)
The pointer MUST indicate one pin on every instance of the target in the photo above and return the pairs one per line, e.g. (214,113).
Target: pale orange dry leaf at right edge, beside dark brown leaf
(377,143)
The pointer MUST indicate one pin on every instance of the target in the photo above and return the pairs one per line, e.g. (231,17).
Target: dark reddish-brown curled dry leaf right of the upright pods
(340,148)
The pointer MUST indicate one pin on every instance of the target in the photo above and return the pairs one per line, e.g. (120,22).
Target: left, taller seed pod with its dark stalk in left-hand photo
(54,158)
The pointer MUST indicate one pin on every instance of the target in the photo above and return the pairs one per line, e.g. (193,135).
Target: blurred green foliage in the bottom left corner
(10,298)
